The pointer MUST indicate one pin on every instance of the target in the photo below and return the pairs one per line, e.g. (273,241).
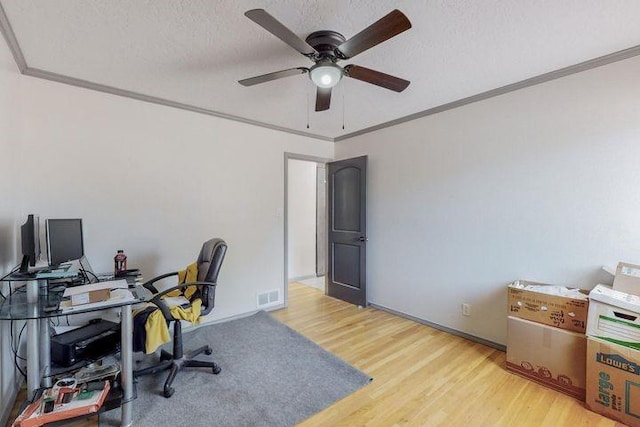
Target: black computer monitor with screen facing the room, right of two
(64,240)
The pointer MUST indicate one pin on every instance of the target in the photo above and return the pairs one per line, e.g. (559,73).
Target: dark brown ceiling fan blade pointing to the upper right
(390,25)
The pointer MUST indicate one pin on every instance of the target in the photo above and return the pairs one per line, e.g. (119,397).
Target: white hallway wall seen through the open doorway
(301,211)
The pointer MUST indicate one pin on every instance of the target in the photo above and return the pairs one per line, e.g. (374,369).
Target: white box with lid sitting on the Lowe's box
(614,316)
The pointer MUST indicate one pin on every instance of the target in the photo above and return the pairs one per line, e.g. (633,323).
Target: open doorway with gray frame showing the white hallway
(305,221)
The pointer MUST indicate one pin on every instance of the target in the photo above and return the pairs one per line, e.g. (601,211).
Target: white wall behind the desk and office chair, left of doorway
(157,182)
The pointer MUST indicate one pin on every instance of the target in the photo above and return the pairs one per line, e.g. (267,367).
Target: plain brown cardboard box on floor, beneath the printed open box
(550,356)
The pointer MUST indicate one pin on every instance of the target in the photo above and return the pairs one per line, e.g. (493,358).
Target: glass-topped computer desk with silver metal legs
(34,301)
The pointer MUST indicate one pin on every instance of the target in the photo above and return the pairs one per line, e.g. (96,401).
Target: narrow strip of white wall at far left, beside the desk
(10,137)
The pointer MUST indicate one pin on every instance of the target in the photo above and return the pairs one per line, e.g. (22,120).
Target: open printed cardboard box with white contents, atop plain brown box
(558,306)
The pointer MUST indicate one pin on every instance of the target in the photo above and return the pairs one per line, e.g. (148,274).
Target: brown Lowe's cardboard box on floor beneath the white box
(613,381)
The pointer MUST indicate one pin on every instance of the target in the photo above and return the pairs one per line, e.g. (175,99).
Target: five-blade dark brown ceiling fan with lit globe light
(325,48)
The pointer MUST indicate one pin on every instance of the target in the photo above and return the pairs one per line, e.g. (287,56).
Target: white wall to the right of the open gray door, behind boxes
(540,184)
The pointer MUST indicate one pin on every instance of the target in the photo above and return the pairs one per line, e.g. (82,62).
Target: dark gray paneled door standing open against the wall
(347,230)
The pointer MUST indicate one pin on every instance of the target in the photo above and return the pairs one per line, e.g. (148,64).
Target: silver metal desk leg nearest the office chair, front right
(126,354)
